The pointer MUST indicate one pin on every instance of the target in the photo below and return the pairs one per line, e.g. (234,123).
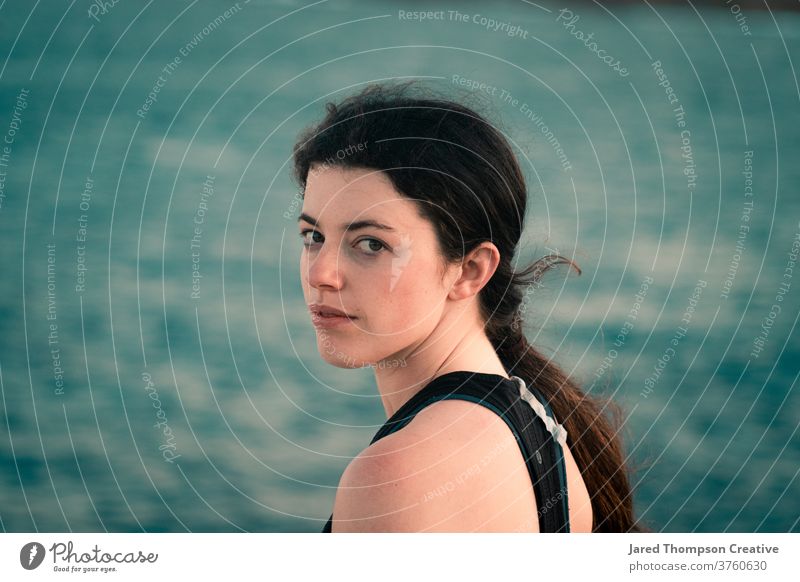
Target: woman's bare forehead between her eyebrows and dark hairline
(341,194)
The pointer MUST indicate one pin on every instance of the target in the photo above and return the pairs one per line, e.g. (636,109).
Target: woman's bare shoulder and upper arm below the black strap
(455,467)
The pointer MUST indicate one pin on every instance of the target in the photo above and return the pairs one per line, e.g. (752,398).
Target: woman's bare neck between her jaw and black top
(467,348)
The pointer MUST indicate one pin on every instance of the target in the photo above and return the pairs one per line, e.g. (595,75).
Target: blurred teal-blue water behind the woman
(258,428)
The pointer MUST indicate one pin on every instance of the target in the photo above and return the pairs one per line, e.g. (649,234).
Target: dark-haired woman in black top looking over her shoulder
(413,207)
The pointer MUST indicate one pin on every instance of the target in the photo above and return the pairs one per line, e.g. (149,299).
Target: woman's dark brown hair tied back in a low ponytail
(465,179)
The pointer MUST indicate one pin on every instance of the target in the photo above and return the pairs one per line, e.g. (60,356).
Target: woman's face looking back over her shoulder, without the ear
(367,252)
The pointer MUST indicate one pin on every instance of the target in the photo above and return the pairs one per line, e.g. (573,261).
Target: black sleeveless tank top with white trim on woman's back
(529,417)
